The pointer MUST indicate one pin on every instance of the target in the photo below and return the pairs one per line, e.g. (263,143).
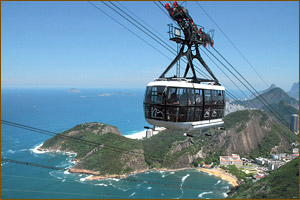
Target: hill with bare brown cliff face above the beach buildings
(249,133)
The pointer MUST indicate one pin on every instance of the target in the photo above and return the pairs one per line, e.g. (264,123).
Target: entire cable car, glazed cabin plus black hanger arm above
(185,103)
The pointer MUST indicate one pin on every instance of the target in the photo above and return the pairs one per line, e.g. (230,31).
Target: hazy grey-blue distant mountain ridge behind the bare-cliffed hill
(273,96)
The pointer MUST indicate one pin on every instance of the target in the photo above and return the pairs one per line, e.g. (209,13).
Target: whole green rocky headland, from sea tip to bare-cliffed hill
(248,133)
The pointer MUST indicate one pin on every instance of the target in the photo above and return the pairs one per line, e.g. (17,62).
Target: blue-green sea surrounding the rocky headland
(58,110)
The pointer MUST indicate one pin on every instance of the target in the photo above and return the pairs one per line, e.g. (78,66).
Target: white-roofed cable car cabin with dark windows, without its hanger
(184,105)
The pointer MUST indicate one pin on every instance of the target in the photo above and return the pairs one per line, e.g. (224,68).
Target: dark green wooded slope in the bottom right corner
(280,184)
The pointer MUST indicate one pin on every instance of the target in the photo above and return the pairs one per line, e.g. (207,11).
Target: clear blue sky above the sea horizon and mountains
(55,44)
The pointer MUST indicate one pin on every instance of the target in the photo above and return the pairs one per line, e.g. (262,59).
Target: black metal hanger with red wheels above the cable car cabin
(192,38)
